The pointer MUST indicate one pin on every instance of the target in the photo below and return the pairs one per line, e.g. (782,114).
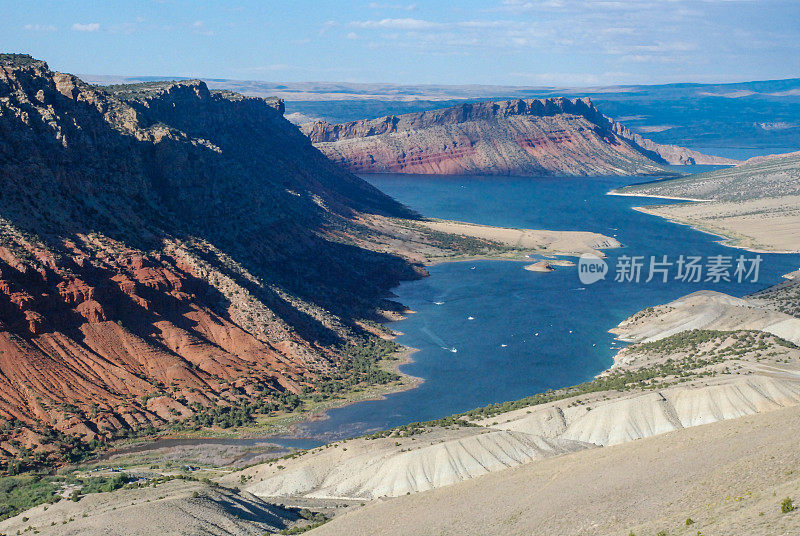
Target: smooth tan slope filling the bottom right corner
(727,478)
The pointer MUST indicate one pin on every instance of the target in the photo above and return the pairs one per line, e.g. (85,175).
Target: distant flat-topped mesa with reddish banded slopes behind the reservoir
(524,136)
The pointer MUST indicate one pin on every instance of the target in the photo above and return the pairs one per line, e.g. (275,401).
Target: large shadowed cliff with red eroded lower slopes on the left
(166,250)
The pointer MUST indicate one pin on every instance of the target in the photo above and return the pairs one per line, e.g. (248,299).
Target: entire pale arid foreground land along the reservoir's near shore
(693,429)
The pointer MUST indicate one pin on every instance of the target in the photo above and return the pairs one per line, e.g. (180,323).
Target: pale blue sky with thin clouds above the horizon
(516,42)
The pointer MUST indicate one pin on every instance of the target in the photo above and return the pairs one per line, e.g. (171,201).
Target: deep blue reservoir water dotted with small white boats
(530,331)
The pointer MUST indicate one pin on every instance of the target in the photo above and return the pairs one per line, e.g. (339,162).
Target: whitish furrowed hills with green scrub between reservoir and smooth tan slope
(671,380)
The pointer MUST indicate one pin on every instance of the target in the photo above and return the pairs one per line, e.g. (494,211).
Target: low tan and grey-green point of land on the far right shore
(755,205)
